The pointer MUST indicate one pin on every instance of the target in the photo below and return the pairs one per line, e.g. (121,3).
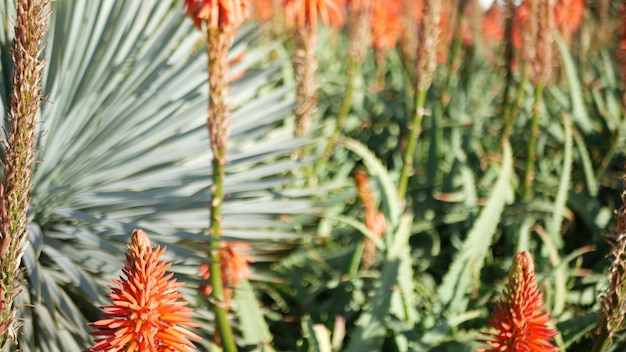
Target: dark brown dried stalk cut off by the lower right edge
(613,301)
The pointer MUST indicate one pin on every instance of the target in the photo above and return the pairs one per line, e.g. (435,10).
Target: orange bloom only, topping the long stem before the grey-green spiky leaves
(217,13)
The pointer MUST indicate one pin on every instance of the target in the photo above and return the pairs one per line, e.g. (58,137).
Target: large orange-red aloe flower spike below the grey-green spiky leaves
(146,314)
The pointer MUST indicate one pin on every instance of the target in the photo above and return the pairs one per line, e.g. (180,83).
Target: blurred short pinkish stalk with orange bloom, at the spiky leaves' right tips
(303,16)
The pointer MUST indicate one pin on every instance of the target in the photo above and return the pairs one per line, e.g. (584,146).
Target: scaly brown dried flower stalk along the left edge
(24,102)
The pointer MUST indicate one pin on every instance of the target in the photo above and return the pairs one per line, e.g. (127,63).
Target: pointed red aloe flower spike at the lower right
(520,323)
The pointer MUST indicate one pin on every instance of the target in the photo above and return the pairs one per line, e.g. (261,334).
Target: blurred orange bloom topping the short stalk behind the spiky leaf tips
(306,13)
